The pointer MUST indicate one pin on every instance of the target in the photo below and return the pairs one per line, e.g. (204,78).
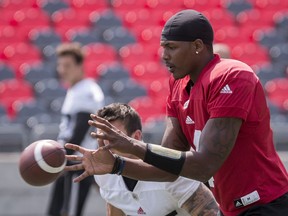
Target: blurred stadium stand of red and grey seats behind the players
(121,39)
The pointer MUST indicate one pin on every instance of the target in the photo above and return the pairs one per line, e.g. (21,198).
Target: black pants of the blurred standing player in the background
(60,202)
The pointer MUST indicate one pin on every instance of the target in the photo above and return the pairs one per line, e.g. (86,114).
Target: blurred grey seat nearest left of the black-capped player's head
(118,37)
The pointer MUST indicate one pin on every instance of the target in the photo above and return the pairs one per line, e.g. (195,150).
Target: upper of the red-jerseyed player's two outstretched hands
(114,138)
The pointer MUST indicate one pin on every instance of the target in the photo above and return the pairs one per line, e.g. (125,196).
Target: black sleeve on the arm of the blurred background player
(80,130)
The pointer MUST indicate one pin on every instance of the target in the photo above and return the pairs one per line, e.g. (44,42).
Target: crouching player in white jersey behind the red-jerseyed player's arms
(127,196)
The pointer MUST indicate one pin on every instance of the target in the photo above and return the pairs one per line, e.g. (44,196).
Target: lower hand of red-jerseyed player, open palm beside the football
(93,162)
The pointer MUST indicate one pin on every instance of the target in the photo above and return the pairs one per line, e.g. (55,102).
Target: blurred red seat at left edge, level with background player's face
(19,54)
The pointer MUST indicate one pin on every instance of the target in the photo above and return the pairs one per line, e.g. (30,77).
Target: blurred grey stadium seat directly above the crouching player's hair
(125,90)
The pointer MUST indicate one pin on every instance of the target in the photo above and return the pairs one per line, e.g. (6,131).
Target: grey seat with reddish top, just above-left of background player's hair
(44,37)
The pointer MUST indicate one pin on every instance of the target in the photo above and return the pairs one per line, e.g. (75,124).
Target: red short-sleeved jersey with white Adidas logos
(253,173)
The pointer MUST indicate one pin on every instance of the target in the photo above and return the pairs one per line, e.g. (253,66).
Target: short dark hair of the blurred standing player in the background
(71,49)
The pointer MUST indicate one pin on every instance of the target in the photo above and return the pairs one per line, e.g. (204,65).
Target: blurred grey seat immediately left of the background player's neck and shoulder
(49,89)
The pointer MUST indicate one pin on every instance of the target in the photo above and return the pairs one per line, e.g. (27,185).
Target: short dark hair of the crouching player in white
(124,113)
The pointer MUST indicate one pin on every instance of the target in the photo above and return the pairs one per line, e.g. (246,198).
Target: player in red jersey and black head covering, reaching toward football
(217,107)
